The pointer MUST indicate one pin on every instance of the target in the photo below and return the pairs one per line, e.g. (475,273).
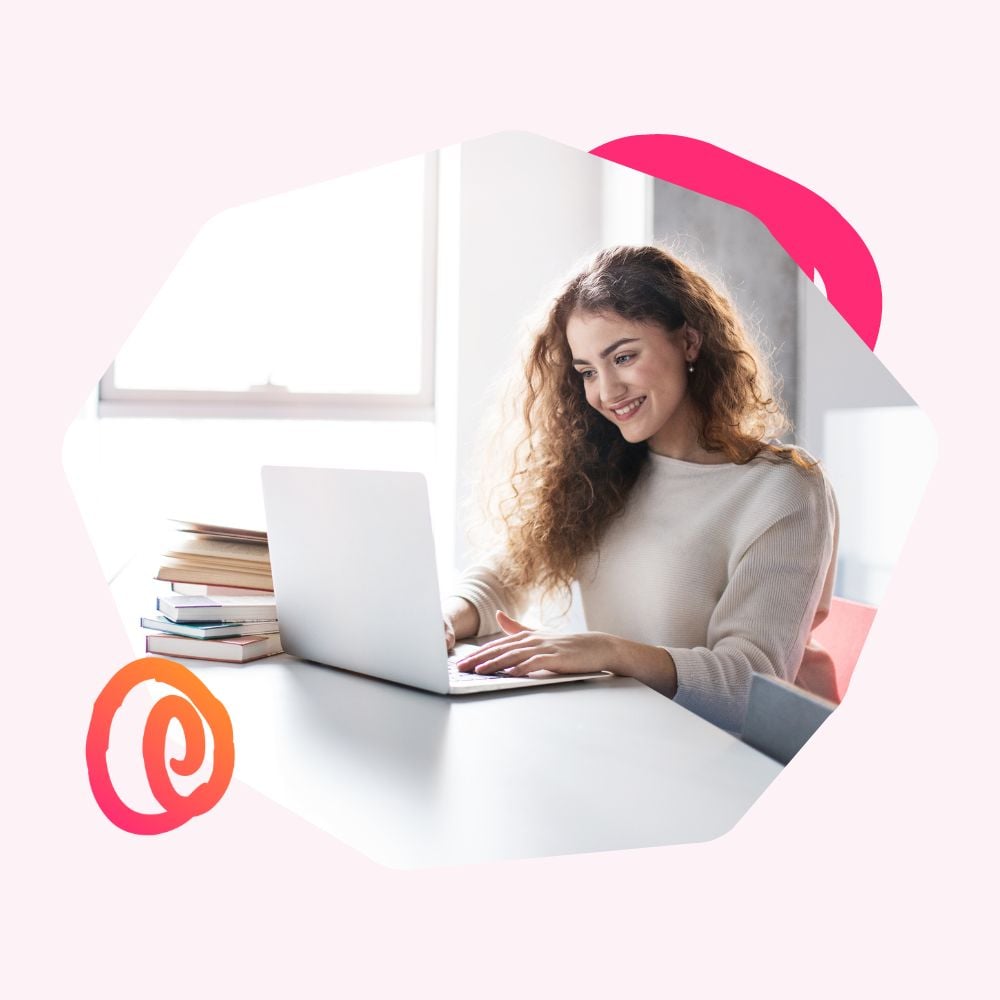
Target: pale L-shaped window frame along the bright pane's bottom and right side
(113,401)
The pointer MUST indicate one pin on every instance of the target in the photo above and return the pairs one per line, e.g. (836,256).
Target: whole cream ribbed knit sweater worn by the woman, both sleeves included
(728,567)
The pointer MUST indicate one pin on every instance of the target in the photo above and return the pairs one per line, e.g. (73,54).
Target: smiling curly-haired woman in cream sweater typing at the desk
(646,471)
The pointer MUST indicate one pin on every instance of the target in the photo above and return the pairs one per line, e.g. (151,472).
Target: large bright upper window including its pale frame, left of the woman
(315,303)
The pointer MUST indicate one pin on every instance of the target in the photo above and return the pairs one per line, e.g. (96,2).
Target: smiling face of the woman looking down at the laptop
(635,375)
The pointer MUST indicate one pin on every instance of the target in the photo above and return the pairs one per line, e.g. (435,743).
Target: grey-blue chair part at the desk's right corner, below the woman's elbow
(781,717)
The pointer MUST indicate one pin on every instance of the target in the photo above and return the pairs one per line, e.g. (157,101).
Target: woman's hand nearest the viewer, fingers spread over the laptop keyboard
(522,650)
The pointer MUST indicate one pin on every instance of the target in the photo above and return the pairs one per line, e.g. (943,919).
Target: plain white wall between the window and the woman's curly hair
(519,213)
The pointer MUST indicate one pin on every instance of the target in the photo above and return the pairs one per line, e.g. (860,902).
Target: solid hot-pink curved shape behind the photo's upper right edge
(814,234)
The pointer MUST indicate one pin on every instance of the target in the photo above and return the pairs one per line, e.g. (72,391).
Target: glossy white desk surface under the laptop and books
(413,779)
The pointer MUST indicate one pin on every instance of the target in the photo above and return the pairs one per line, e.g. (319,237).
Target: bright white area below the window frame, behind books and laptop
(130,474)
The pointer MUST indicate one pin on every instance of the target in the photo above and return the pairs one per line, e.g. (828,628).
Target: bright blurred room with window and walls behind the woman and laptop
(366,323)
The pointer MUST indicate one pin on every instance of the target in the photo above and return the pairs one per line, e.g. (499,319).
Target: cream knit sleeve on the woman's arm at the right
(774,596)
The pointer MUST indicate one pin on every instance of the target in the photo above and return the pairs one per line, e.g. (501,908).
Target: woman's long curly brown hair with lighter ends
(572,470)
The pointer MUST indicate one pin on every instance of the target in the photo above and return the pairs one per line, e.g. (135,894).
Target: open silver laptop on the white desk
(355,579)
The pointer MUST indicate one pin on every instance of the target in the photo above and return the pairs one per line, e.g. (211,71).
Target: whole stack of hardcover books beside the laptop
(221,606)
